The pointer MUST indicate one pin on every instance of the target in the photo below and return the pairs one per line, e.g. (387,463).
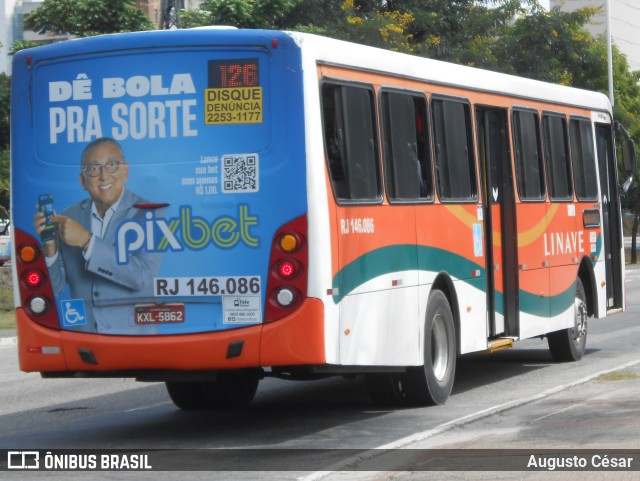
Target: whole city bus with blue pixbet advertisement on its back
(209,207)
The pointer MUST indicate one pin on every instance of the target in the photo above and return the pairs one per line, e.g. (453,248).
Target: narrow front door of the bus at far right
(610,223)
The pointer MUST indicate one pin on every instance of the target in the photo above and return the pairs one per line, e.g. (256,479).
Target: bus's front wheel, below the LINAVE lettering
(569,344)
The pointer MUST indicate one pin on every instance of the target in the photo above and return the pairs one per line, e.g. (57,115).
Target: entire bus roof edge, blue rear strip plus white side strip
(327,50)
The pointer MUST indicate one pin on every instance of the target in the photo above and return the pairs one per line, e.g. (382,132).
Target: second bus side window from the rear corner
(406,146)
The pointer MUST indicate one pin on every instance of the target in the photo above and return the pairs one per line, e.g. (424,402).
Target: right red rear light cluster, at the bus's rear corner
(287,285)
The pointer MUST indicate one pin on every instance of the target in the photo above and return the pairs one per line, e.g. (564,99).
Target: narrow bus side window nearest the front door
(583,159)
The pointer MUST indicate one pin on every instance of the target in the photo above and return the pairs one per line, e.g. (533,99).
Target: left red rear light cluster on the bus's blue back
(35,290)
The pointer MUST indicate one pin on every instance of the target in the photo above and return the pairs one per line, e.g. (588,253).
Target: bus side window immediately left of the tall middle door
(455,162)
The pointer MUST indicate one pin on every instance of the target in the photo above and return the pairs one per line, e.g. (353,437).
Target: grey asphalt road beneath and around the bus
(513,399)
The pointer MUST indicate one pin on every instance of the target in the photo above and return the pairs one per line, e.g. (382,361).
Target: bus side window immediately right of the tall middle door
(528,156)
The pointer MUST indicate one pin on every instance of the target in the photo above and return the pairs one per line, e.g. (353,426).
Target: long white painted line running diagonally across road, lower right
(448,426)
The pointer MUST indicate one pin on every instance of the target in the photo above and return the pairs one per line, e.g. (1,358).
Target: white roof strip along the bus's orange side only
(333,51)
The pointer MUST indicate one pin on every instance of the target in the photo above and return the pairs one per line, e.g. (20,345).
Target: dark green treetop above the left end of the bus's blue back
(84,18)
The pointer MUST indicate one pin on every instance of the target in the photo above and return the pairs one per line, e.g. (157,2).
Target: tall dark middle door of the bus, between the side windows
(499,221)
